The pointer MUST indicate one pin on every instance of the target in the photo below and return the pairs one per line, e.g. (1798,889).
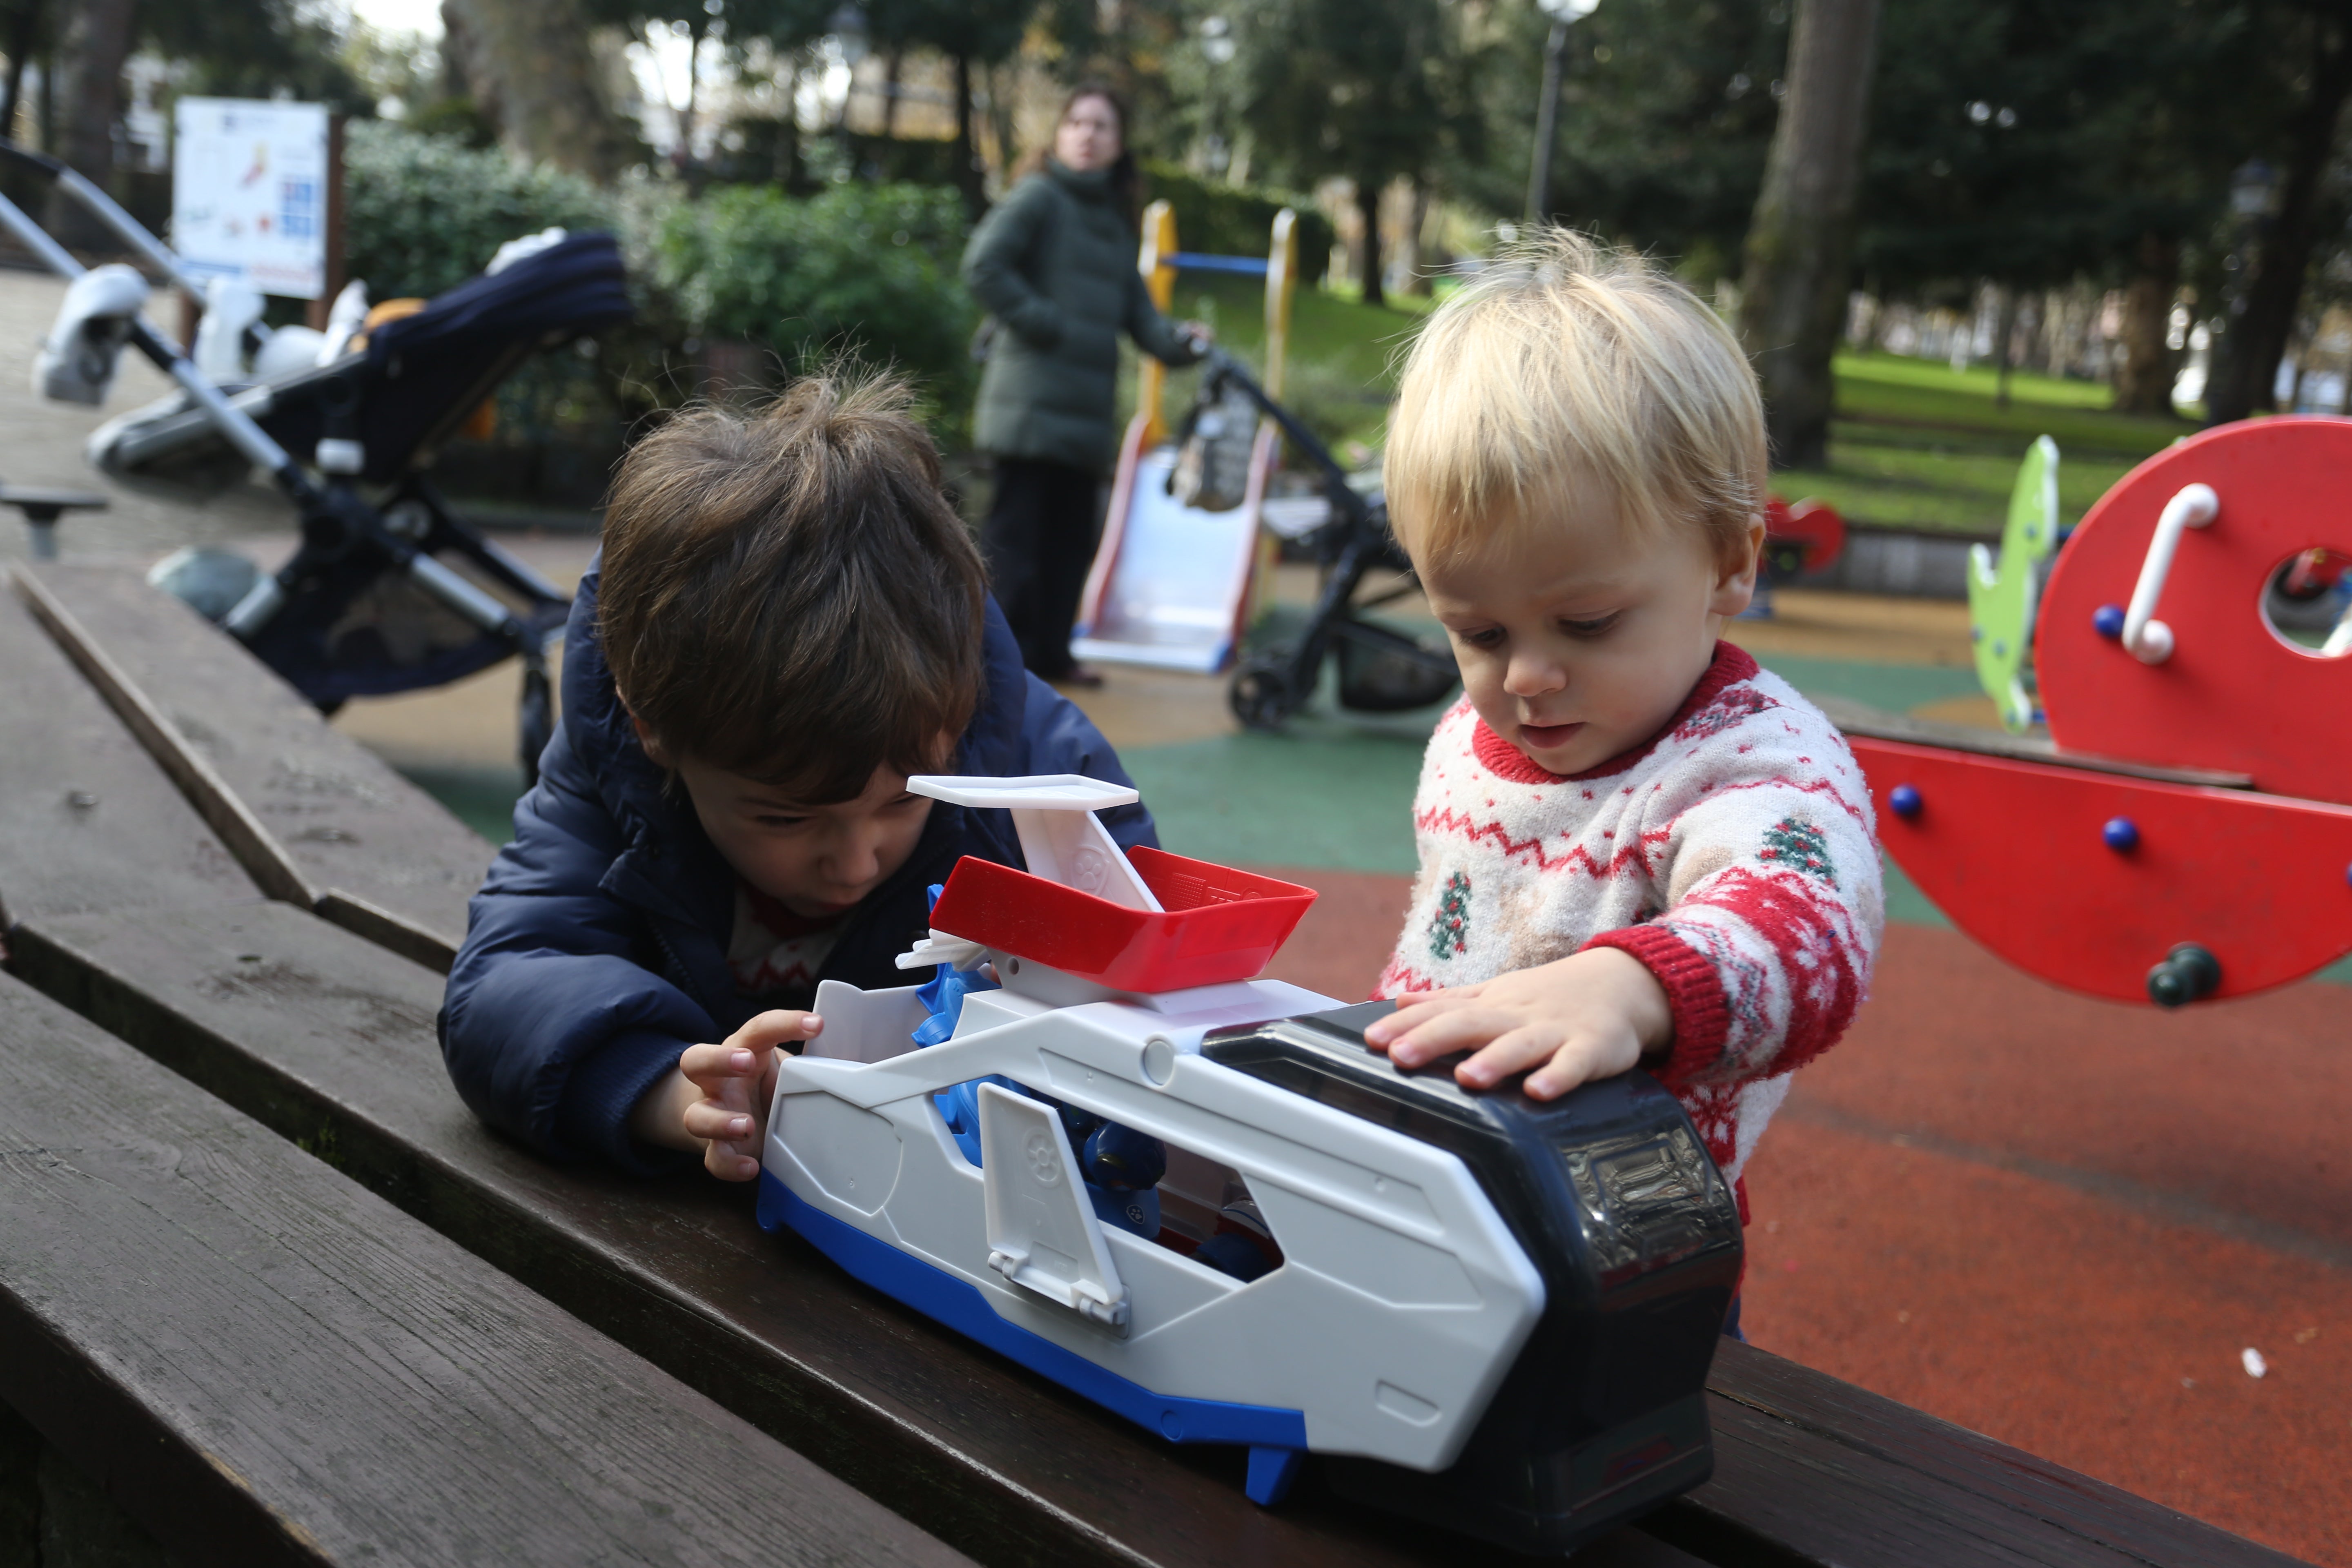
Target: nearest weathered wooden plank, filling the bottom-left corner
(265,1362)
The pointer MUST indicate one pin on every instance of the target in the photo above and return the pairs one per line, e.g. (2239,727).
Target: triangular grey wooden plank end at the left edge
(86,819)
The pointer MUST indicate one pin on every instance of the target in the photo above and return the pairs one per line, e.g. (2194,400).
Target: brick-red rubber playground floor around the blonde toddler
(2054,1221)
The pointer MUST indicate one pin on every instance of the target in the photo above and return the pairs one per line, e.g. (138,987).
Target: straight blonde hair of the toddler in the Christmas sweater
(1570,361)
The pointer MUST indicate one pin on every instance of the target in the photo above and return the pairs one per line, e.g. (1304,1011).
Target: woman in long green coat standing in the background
(1055,262)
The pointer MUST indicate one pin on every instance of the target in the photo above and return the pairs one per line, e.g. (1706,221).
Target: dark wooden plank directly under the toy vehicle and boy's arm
(330,1043)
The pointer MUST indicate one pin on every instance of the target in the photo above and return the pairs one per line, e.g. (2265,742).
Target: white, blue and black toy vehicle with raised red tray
(1485,1311)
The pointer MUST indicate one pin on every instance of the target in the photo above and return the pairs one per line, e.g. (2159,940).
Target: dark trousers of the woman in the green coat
(1038,540)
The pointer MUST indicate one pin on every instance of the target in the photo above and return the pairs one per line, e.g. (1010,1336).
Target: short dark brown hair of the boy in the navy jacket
(789,596)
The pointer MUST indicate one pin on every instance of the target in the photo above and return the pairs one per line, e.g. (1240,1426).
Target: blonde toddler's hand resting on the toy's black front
(1586,1017)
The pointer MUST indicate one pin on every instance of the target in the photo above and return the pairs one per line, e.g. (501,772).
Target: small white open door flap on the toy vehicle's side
(1041,1228)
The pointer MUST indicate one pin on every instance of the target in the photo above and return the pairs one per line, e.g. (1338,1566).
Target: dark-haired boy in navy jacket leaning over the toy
(784,624)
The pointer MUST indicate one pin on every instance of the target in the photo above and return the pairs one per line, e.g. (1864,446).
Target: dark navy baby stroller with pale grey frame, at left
(389,589)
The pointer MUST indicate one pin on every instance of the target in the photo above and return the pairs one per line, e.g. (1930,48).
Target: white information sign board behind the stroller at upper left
(250,194)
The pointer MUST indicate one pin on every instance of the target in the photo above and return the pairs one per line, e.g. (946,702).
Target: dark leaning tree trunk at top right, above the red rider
(2247,368)
